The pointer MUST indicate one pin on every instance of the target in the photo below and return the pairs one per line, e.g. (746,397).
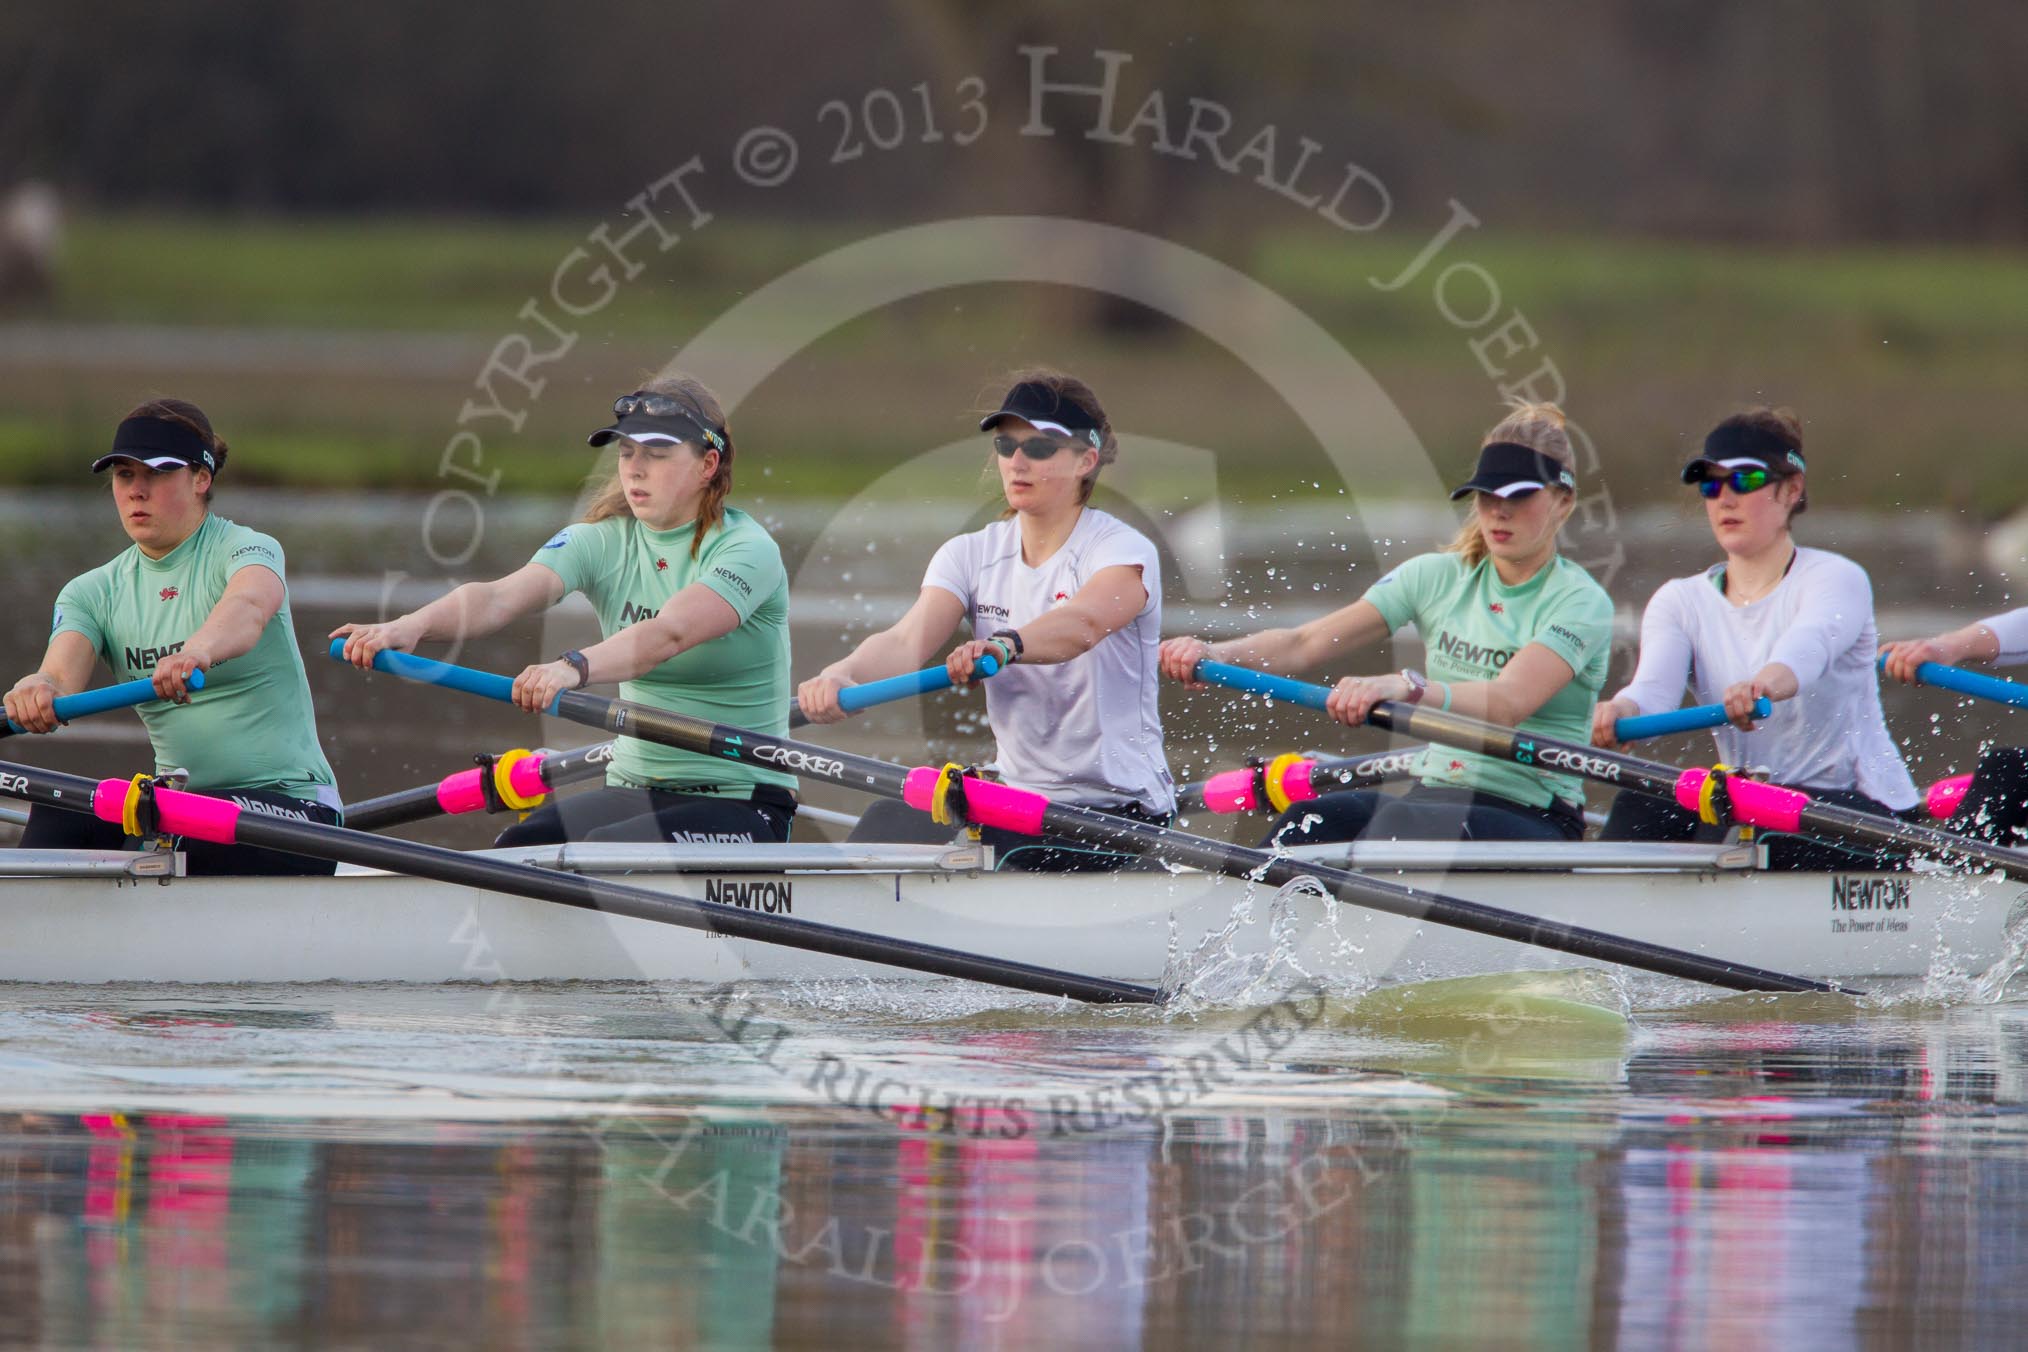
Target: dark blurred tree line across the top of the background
(1723,119)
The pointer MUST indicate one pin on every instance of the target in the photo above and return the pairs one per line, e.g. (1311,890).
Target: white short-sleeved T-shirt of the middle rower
(1088,731)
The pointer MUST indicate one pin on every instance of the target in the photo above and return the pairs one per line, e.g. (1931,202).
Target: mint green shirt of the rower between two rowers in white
(1473,625)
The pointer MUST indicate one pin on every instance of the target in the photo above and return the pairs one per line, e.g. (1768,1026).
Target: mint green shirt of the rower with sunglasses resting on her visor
(741,678)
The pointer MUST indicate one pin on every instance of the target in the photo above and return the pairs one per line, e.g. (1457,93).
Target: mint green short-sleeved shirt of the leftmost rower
(252,727)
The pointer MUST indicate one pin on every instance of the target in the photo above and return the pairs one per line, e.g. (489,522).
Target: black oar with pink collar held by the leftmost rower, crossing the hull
(216,820)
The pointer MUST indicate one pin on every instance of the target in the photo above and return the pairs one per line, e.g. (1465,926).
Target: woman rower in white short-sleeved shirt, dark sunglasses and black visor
(1068,601)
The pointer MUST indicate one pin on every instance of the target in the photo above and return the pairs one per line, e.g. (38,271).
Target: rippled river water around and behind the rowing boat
(1520,1160)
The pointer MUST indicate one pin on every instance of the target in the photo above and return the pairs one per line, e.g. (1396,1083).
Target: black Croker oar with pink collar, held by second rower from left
(1129,836)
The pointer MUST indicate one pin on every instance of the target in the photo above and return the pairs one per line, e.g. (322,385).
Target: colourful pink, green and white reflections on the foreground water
(1749,1175)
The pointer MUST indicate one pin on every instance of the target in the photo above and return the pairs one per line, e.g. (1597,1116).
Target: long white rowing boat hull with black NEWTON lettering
(1137,927)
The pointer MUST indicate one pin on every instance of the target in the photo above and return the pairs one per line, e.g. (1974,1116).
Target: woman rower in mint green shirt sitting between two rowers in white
(1516,635)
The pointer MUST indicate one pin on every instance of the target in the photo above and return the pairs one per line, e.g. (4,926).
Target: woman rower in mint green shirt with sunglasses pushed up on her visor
(693,601)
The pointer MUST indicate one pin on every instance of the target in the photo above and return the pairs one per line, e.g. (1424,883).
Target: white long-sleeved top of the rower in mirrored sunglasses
(1818,623)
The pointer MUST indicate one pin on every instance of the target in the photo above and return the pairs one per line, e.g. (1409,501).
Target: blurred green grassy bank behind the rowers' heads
(1905,364)
